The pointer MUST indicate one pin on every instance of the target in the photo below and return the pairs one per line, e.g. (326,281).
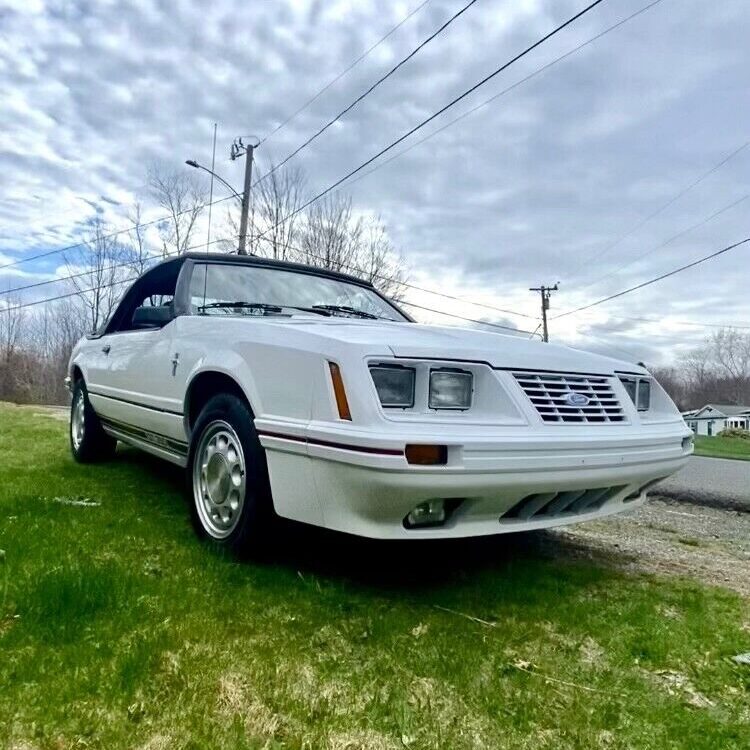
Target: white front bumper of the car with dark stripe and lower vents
(363,485)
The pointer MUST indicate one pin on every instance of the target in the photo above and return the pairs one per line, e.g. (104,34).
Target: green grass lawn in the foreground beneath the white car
(119,630)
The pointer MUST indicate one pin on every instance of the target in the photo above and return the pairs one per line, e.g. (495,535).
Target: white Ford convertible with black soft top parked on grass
(294,391)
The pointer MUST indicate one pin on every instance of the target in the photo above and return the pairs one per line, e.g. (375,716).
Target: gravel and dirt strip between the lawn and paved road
(709,544)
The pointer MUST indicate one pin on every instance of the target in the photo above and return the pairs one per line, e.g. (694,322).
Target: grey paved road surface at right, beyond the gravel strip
(720,482)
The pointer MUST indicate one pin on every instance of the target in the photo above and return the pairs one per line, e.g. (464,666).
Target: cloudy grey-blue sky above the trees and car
(551,181)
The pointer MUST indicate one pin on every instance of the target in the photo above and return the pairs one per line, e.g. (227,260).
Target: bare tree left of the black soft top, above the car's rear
(96,273)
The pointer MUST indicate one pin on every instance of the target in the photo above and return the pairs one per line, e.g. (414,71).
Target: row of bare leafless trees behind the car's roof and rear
(36,341)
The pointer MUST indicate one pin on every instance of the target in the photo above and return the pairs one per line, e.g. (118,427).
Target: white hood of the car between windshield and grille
(418,341)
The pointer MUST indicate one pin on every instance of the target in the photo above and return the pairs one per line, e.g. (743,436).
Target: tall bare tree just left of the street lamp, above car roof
(183,198)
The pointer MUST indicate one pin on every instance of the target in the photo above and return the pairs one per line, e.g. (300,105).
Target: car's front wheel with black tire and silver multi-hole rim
(224,419)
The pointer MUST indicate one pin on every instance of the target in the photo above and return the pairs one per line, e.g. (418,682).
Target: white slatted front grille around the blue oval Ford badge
(548,392)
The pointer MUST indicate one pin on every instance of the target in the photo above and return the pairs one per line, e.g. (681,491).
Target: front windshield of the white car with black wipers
(239,289)
